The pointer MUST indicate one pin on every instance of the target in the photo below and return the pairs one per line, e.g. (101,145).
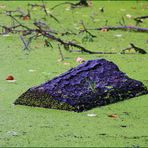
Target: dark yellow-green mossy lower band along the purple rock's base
(42,99)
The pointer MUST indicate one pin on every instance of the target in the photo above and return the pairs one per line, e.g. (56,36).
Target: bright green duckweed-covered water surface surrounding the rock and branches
(26,126)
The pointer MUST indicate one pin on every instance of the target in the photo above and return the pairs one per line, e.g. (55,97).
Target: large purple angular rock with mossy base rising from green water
(91,84)
